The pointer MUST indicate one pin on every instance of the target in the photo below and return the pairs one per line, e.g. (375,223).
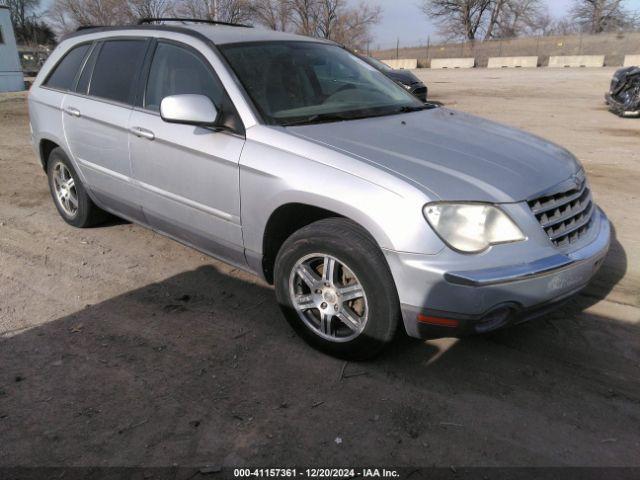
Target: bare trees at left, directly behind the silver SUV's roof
(343,21)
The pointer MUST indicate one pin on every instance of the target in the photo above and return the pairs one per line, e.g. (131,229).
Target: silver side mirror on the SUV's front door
(189,109)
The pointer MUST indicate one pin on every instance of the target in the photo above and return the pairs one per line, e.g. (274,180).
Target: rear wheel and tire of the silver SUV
(69,195)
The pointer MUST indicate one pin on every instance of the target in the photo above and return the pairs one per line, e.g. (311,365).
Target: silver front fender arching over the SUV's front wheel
(272,176)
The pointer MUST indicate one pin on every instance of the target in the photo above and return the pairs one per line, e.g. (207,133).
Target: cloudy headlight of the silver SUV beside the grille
(471,227)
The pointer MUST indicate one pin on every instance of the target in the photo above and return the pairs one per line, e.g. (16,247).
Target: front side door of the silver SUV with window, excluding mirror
(188,175)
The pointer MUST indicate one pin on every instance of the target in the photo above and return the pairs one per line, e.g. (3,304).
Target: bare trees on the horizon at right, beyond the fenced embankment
(494,19)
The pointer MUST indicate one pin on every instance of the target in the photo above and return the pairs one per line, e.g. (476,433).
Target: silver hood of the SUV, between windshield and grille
(450,155)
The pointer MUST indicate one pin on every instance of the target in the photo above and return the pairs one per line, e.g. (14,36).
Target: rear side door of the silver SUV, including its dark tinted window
(96,118)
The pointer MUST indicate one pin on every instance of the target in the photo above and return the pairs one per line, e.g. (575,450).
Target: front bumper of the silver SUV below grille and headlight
(444,300)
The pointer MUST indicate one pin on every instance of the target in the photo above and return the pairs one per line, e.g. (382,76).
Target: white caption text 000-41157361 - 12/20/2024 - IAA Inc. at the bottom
(315,473)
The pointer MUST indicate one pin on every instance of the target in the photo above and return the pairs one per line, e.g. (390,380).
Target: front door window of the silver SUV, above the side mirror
(175,71)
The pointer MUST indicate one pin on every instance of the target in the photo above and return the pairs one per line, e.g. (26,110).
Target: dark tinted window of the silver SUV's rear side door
(116,69)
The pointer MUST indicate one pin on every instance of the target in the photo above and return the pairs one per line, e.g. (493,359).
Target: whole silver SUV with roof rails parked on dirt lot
(294,159)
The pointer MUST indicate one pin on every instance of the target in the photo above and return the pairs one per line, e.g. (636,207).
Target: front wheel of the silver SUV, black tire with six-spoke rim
(362,326)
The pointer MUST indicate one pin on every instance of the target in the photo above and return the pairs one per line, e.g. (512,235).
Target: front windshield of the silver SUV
(293,83)
